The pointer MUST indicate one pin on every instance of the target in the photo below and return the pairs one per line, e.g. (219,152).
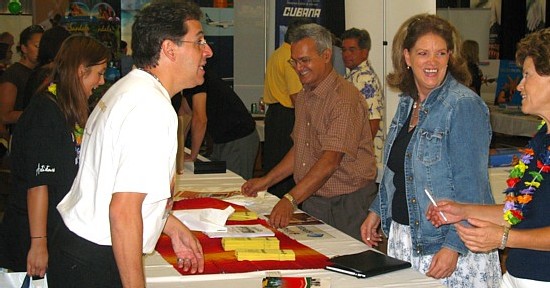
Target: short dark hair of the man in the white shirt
(159,21)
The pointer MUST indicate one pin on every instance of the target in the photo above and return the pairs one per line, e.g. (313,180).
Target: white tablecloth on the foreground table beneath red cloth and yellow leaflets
(161,274)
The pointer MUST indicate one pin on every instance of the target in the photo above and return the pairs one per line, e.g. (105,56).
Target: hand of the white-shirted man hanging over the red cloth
(187,247)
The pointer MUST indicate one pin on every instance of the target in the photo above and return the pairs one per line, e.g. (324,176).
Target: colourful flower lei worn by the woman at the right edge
(516,199)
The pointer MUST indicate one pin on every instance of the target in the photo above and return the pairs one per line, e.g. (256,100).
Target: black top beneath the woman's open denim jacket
(396,163)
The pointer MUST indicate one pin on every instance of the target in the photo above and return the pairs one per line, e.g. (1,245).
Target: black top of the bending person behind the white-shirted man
(228,117)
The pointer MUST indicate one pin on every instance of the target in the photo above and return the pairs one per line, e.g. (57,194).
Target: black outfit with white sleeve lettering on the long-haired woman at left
(43,153)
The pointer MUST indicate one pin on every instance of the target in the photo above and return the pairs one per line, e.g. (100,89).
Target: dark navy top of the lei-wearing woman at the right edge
(526,263)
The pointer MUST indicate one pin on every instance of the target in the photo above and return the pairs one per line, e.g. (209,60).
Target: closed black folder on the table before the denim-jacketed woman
(366,264)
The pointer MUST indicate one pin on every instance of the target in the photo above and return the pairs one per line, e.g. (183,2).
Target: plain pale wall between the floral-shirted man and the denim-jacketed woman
(370,15)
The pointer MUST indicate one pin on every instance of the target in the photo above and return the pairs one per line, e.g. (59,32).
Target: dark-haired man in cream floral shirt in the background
(356,45)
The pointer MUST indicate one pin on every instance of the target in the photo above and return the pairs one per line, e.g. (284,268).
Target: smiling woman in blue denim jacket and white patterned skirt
(425,152)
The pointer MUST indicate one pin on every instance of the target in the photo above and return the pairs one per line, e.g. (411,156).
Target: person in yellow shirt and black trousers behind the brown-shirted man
(280,87)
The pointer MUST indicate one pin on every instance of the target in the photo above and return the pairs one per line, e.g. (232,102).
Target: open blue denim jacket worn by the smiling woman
(448,154)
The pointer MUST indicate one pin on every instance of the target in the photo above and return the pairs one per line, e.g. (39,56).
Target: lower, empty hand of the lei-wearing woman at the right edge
(482,236)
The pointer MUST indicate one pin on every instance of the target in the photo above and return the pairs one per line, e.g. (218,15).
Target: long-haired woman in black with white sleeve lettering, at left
(45,147)
